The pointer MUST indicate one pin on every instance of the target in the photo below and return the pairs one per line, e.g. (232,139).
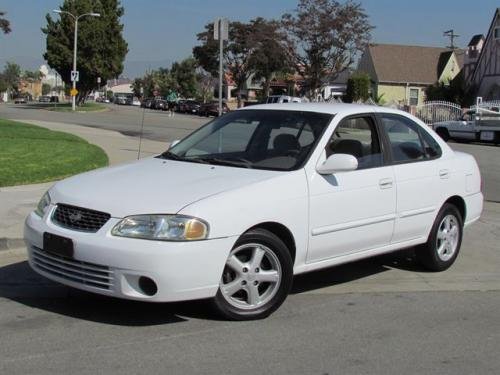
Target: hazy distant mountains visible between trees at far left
(133,69)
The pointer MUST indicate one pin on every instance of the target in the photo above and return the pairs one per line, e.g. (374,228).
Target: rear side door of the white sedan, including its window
(417,175)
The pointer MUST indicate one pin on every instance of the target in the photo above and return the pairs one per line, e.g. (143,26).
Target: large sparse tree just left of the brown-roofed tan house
(324,39)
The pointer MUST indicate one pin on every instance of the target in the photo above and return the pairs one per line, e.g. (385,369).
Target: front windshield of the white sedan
(261,139)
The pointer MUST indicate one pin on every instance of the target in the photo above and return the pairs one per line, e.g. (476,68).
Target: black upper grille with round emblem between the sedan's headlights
(78,218)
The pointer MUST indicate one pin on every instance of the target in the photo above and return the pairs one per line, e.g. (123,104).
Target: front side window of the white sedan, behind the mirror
(358,137)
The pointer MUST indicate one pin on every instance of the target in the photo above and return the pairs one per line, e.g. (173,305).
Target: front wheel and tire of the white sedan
(256,279)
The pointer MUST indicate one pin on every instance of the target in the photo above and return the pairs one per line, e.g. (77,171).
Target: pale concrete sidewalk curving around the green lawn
(17,202)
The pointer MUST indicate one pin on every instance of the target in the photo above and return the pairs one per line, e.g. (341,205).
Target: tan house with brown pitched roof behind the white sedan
(401,73)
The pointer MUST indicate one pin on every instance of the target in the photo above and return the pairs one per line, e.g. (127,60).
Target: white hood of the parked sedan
(152,185)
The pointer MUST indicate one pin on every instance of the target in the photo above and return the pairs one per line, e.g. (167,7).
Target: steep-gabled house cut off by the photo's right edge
(486,76)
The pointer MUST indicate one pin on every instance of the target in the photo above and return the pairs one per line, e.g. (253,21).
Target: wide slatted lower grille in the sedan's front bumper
(95,275)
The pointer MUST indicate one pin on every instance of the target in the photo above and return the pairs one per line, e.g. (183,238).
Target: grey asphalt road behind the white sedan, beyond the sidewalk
(158,126)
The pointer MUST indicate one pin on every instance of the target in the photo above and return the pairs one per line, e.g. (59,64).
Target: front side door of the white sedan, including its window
(352,211)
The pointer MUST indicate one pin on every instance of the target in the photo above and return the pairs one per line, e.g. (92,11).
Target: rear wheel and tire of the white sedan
(445,239)
